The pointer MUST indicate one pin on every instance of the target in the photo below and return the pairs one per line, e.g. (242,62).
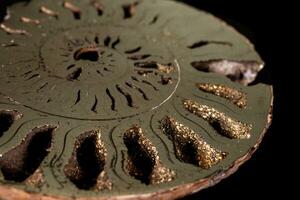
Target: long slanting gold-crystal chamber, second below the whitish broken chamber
(226,125)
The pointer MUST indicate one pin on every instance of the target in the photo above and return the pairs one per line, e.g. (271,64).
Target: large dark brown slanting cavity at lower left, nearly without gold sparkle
(22,161)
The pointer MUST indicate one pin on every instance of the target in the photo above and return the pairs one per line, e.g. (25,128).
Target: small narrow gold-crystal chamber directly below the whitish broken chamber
(237,97)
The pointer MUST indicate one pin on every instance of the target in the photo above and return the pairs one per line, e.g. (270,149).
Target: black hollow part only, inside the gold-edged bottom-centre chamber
(141,160)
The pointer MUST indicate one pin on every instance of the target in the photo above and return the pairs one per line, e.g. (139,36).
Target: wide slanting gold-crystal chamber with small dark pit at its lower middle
(189,146)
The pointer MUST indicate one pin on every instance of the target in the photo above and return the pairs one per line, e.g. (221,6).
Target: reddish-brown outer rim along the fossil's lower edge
(11,193)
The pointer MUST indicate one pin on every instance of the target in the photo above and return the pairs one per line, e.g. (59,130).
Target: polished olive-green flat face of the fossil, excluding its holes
(167,40)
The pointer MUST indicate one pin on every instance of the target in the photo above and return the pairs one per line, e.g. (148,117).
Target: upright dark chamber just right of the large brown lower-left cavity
(86,162)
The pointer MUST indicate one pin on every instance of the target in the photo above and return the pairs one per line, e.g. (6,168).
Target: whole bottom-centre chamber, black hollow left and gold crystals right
(140,146)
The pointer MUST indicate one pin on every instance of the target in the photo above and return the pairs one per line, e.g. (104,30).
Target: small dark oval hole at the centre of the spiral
(87,53)
